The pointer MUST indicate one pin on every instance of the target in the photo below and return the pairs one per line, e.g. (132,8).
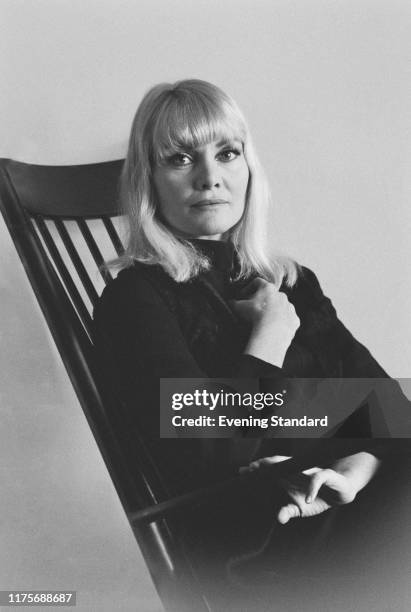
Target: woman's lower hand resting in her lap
(316,490)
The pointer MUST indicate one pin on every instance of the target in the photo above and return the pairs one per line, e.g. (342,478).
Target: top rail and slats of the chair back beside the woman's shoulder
(74,211)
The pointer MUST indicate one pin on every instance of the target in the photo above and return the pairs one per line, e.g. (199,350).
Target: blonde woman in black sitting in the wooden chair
(201,296)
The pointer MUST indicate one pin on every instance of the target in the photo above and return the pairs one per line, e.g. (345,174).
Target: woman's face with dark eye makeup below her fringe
(201,192)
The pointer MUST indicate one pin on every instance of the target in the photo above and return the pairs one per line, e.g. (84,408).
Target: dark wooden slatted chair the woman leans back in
(64,223)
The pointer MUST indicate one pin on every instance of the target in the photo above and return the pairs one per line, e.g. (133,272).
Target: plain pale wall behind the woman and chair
(326,88)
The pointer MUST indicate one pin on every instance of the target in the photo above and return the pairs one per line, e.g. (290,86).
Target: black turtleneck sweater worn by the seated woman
(147,327)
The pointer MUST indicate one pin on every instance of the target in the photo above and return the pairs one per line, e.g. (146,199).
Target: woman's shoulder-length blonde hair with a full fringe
(191,113)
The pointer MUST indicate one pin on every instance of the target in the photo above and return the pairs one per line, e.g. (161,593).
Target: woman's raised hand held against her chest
(273,319)
